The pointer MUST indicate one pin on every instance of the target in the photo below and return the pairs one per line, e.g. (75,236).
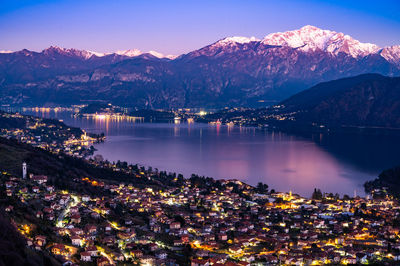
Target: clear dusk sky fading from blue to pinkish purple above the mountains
(175,27)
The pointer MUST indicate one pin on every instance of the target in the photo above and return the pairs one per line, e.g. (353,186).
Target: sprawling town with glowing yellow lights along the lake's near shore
(150,217)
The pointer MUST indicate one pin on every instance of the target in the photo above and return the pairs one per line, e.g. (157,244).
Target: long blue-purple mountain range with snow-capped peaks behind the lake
(234,71)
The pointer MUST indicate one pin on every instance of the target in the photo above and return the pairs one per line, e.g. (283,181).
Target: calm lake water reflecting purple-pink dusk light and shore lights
(333,163)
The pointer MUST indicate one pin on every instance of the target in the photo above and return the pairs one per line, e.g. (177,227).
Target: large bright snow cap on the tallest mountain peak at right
(311,38)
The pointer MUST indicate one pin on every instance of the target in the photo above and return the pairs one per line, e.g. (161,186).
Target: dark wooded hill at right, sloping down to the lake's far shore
(365,100)
